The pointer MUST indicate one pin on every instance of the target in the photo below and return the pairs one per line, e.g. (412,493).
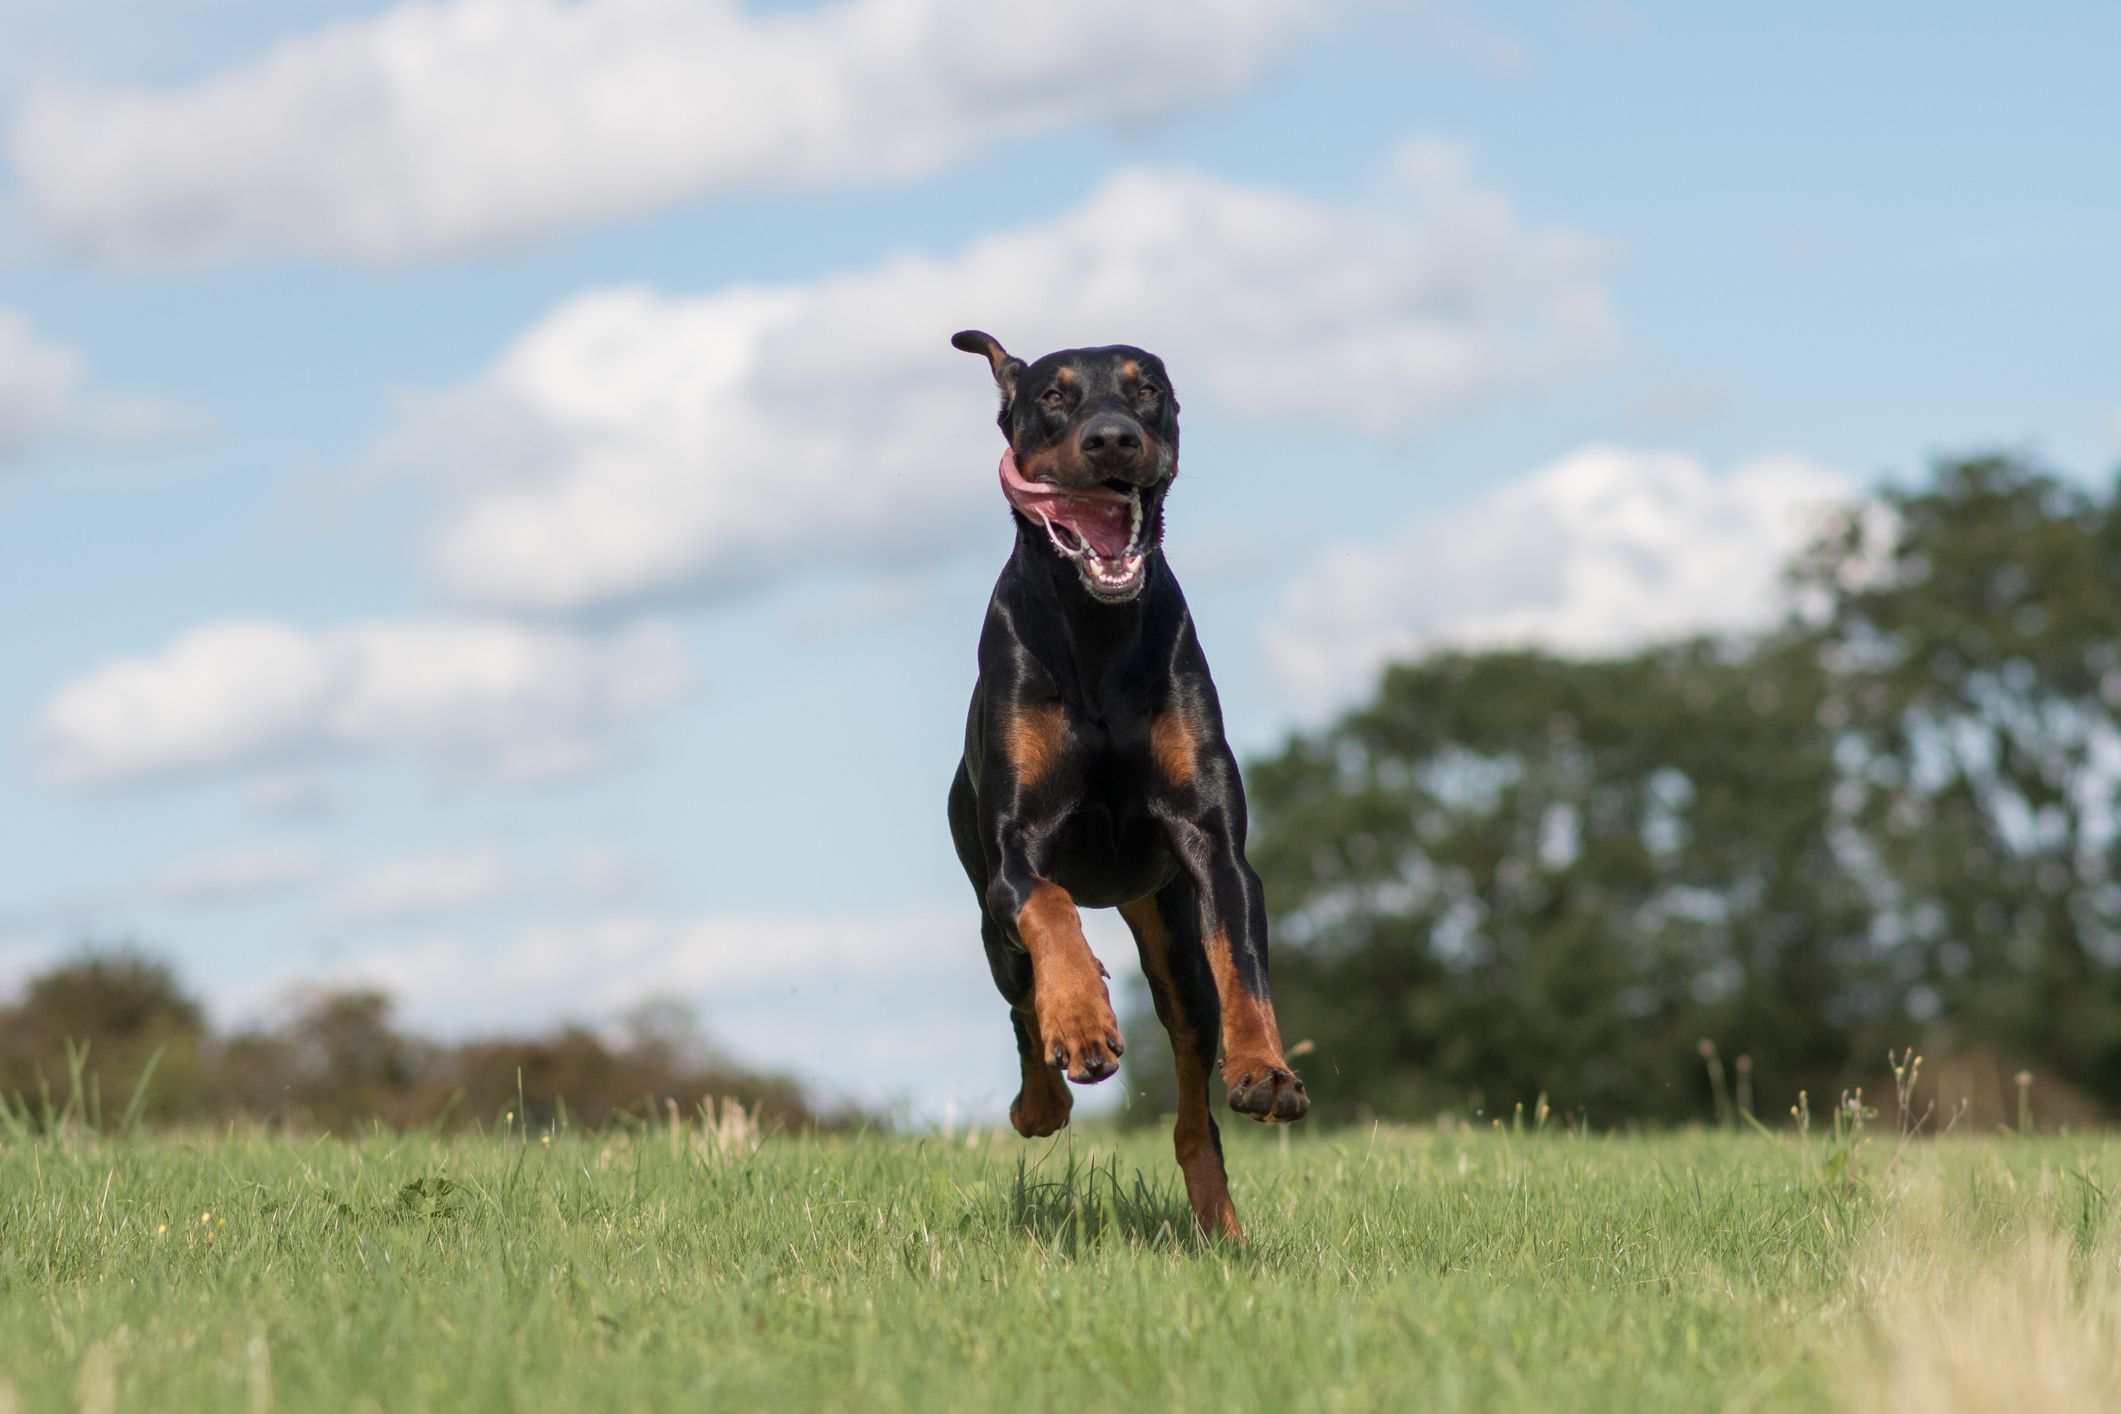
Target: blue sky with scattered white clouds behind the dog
(489,508)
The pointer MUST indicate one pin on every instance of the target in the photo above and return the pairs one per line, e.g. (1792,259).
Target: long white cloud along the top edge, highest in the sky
(444,128)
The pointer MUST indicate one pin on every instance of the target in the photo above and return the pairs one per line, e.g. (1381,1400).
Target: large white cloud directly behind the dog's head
(635,444)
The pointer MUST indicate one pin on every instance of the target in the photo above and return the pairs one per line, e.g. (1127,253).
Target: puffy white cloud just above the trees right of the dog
(1598,552)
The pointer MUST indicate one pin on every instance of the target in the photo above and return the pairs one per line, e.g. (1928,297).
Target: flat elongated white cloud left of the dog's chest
(470,696)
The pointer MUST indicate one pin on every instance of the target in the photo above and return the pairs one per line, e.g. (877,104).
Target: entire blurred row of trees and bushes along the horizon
(1891,821)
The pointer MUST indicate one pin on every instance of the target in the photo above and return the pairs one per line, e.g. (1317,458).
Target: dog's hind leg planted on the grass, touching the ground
(1168,932)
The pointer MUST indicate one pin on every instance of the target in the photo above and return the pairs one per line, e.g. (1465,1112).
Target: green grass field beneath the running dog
(1422,1269)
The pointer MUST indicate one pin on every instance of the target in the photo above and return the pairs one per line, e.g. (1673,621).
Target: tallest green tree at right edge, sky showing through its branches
(1978,669)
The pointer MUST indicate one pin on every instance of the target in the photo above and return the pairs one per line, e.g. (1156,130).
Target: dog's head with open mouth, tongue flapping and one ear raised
(1093,448)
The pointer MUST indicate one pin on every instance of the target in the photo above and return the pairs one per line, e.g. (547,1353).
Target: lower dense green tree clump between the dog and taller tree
(1518,874)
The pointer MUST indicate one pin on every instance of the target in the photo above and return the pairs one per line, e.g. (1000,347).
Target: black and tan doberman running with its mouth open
(1098,773)
